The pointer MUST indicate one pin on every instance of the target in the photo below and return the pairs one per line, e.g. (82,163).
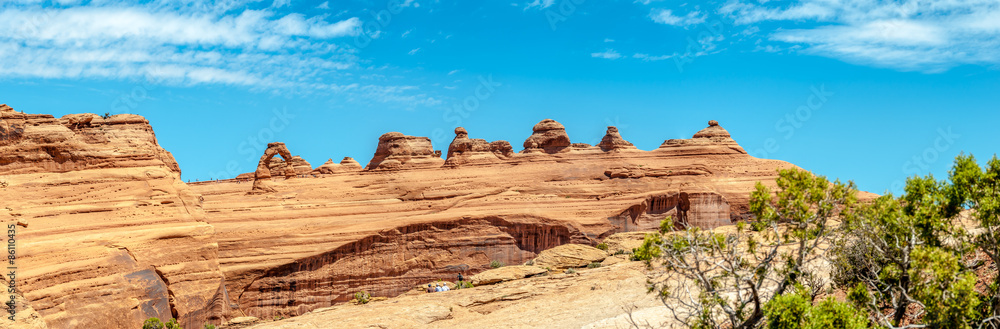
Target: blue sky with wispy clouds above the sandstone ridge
(872,91)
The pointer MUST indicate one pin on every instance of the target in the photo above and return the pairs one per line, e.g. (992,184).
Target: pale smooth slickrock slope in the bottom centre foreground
(590,299)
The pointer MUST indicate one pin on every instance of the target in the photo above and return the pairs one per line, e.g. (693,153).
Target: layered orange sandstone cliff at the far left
(112,233)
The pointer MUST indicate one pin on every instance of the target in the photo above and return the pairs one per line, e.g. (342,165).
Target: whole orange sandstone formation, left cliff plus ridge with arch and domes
(101,194)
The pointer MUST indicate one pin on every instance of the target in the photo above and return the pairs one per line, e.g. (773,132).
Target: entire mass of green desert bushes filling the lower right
(814,257)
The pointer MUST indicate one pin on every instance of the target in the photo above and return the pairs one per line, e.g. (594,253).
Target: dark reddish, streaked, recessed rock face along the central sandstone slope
(393,261)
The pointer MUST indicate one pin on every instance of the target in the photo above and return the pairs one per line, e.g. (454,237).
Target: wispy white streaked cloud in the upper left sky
(183,42)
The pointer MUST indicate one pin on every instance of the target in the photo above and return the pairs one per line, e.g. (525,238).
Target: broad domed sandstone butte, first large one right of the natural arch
(397,151)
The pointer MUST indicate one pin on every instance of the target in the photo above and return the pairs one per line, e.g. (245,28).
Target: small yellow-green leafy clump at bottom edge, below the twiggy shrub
(795,310)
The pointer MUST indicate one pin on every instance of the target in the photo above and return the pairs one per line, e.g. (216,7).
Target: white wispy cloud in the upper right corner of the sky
(906,35)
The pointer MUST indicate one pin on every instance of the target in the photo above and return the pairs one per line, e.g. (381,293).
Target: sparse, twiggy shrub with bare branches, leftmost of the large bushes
(732,275)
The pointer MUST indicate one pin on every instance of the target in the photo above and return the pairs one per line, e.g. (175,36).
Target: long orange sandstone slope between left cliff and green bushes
(316,241)
